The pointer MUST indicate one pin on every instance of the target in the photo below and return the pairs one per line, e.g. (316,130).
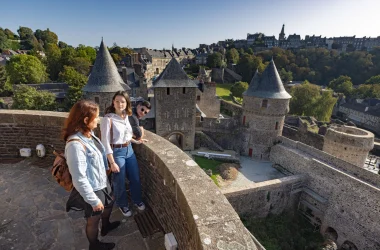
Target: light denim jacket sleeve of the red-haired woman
(76,161)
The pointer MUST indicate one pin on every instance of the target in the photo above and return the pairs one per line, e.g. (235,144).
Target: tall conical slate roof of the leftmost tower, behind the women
(104,76)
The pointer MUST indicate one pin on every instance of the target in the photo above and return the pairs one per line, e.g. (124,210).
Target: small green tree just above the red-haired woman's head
(76,82)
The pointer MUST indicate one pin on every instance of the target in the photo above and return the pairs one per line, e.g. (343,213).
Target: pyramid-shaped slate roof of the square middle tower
(174,76)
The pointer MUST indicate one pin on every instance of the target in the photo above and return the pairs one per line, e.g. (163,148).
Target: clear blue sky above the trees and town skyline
(159,23)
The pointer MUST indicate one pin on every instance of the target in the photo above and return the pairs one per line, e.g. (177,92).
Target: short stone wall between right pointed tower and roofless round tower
(306,137)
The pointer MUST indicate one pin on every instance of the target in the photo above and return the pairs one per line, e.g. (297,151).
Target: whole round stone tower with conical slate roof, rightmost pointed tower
(265,104)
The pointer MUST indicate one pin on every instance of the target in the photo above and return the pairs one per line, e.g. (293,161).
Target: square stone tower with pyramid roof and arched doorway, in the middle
(175,106)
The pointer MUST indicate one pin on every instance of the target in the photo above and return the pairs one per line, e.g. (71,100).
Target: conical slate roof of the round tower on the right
(267,85)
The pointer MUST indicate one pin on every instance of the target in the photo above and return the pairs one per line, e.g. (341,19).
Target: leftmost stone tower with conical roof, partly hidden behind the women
(104,80)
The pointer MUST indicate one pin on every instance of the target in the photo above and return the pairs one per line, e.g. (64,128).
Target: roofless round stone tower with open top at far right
(350,144)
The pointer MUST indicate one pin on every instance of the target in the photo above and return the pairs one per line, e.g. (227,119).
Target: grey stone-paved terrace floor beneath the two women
(32,215)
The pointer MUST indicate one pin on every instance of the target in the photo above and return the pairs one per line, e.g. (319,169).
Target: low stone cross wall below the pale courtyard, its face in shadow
(264,198)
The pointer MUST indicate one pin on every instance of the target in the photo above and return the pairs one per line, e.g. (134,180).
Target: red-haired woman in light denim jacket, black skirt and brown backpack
(87,162)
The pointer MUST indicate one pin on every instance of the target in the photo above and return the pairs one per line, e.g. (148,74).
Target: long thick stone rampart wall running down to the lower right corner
(352,193)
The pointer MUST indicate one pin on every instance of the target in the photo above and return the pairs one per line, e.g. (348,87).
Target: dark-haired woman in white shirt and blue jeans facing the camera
(120,152)
